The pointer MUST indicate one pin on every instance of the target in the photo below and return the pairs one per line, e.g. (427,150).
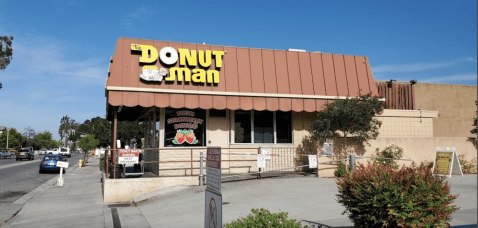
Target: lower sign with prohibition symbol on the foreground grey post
(213,210)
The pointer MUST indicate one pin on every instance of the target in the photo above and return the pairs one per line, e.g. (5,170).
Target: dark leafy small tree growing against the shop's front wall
(350,117)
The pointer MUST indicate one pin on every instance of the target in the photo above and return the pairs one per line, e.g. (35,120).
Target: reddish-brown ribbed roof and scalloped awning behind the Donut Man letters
(258,79)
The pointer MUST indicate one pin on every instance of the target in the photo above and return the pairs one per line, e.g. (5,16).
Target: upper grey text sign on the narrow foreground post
(213,169)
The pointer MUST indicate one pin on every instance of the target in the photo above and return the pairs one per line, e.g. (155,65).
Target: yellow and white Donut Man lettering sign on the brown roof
(187,58)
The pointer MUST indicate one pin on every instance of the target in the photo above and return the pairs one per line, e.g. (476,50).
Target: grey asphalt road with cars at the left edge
(18,178)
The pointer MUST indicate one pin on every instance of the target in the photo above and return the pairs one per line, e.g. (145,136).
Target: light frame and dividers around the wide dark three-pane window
(233,130)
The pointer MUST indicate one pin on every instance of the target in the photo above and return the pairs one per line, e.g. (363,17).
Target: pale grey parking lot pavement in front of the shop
(305,198)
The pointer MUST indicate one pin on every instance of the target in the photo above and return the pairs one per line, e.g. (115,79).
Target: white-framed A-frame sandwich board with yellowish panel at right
(446,162)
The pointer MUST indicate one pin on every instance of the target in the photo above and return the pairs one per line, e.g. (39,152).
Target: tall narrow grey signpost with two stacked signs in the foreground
(213,201)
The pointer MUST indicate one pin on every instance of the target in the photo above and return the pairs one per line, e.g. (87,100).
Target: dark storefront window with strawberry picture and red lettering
(185,128)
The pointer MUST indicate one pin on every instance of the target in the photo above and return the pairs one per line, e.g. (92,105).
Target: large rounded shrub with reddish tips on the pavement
(381,196)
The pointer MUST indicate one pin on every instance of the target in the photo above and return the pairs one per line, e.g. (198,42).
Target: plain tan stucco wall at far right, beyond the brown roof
(455,103)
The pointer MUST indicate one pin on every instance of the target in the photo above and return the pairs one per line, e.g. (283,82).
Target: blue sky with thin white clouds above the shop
(62,47)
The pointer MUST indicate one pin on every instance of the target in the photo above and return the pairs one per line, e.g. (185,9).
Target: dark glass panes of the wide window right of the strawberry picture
(262,127)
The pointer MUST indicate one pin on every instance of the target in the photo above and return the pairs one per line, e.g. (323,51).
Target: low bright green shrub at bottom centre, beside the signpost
(263,218)
